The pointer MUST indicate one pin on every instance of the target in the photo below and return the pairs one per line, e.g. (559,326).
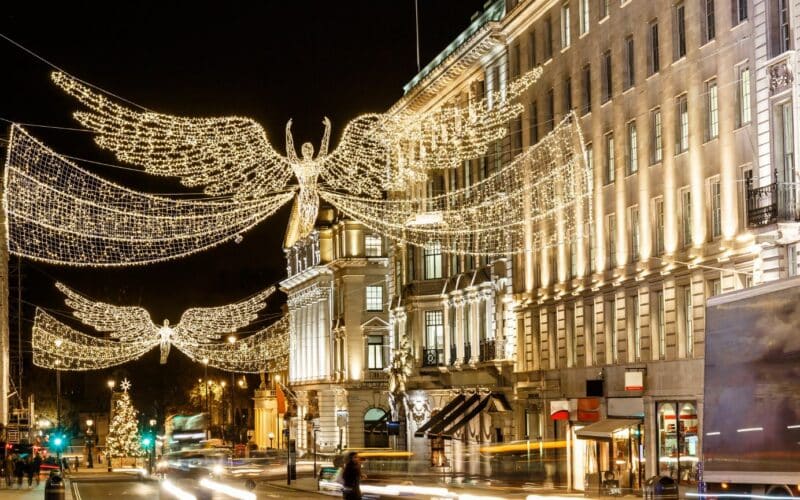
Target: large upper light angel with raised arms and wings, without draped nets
(232,157)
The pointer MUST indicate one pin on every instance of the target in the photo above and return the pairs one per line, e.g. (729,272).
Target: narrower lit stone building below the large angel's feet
(339,345)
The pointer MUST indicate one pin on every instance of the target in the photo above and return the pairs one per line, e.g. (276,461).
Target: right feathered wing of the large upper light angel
(379,152)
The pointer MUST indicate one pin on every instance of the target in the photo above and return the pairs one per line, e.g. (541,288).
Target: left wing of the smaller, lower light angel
(126,323)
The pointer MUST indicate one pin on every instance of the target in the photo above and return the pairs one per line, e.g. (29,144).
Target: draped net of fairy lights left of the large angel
(61,214)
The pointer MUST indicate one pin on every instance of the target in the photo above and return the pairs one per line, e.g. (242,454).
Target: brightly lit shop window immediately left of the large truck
(678,446)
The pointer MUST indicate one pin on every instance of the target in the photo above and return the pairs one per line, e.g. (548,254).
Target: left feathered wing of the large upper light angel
(226,155)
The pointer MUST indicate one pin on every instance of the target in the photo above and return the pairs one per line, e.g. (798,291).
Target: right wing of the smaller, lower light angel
(204,324)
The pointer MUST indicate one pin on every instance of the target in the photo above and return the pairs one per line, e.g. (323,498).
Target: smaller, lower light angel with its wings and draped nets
(131,334)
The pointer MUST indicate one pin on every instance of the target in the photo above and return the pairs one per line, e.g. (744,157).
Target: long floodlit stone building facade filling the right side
(688,112)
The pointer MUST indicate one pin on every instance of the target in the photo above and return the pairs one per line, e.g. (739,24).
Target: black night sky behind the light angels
(270,61)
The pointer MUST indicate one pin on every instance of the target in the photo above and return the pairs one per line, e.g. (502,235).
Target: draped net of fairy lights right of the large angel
(548,186)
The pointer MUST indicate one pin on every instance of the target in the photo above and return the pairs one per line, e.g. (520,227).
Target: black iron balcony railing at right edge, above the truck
(776,202)
